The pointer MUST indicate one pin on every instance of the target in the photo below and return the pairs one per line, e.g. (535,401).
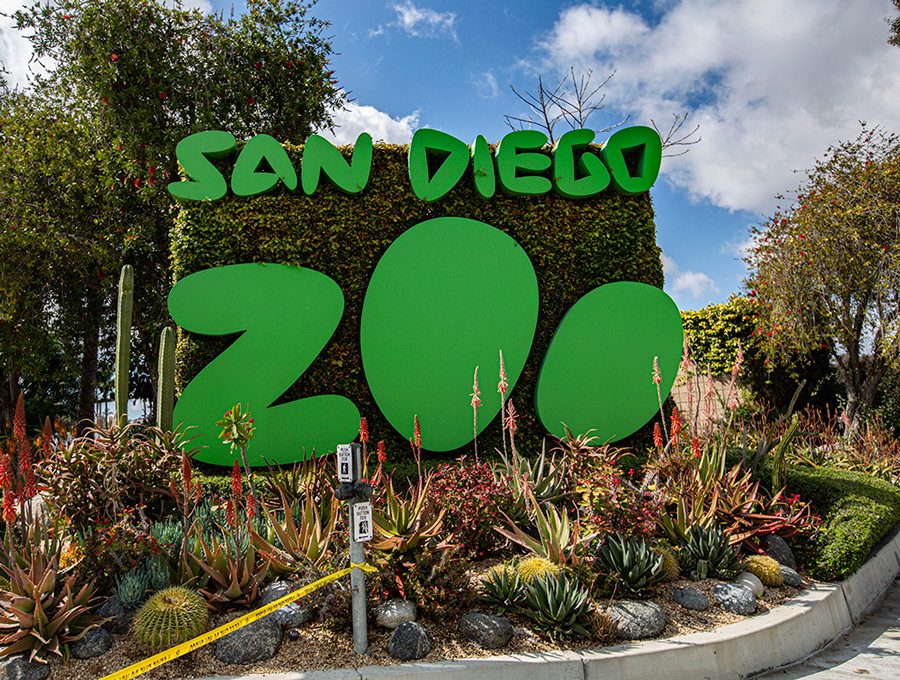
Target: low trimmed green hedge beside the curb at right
(858,511)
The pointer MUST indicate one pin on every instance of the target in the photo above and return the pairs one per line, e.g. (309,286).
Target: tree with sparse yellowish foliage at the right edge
(826,271)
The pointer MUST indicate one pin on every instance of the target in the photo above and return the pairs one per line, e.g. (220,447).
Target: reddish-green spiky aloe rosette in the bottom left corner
(43,614)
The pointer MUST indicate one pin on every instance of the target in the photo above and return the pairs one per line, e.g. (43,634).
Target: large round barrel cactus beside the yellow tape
(171,616)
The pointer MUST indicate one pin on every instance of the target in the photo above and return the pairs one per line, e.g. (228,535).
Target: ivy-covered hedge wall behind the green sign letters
(574,246)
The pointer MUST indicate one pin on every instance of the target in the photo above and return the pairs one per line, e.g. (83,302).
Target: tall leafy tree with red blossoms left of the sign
(131,79)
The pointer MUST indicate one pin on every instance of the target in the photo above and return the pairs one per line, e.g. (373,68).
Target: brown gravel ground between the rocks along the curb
(321,649)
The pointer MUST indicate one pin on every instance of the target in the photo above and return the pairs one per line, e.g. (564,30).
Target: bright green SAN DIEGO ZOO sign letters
(439,280)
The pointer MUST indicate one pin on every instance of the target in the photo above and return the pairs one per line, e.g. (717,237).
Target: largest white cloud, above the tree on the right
(772,83)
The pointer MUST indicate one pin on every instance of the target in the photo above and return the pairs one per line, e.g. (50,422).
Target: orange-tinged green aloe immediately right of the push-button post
(406,523)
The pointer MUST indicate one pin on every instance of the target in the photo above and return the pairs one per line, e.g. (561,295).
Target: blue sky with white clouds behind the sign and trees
(772,83)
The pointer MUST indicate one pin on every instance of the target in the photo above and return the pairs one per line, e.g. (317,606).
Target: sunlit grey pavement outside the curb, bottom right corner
(871,649)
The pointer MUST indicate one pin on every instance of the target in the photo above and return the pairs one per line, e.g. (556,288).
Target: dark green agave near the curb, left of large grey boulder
(558,606)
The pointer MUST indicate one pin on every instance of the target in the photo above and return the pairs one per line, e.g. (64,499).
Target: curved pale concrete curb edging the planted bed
(781,637)
